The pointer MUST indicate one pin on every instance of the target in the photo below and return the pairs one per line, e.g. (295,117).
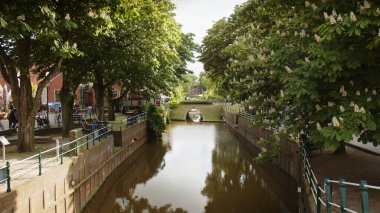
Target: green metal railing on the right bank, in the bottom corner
(323,196)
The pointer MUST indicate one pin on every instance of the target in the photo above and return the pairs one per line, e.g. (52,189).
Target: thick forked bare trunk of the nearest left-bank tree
(26,101)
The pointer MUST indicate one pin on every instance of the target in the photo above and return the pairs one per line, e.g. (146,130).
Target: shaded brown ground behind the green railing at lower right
(353,166)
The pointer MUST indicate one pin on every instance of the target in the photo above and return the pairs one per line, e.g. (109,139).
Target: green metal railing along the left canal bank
(61,150)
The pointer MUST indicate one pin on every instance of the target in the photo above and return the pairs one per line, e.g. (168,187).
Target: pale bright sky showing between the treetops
(197,16)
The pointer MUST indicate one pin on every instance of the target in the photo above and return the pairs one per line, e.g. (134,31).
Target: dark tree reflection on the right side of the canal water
(234,185)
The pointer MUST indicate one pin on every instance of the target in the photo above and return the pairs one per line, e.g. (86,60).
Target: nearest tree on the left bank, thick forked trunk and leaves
(34,40)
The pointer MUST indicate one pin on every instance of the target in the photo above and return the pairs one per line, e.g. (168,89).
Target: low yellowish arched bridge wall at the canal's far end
(210,112)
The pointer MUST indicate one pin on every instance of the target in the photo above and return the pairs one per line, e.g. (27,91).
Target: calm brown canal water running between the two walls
(199,167)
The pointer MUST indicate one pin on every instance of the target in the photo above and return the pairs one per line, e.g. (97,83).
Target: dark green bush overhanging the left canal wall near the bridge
(156,122)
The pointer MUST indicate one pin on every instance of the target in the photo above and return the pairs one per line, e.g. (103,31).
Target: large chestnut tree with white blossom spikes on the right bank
(307,67)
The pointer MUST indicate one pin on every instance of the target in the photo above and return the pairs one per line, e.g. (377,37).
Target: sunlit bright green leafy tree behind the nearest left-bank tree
(137,45)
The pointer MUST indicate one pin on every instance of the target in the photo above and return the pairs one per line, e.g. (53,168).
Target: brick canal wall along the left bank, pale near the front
(68,187)
